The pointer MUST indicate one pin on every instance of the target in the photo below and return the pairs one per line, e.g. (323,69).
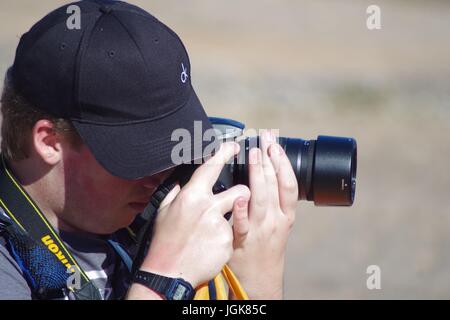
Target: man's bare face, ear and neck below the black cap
(74,191)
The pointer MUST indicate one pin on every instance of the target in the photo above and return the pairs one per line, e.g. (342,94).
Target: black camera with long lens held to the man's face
(325,168)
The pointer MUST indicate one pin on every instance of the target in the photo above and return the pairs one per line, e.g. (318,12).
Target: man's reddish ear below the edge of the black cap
(46,142)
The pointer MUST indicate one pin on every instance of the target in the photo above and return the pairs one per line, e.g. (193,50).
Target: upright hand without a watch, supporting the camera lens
(261,226)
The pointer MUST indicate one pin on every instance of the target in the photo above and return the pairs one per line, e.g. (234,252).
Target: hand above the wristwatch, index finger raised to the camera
(192,239)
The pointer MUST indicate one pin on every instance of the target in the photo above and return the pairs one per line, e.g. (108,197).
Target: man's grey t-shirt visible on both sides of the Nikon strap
(93,253)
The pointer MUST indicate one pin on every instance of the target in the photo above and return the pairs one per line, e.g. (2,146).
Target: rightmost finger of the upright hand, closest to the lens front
(287,182)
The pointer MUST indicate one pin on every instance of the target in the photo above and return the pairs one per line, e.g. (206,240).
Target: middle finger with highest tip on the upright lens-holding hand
(267,139)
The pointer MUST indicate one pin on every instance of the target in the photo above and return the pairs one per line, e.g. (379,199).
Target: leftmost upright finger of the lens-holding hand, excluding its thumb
(257,181)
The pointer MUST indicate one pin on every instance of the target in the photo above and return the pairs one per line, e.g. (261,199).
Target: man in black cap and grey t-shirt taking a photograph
(86,139)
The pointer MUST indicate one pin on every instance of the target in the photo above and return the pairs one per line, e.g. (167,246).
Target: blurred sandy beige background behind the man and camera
(312,67)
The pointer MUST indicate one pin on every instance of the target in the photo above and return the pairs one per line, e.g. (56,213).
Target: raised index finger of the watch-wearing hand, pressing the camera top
(208,173)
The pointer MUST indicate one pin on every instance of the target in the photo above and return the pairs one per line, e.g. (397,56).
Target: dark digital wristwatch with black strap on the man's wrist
(169,288)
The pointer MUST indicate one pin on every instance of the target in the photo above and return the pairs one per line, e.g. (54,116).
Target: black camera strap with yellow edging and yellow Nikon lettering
(30,221)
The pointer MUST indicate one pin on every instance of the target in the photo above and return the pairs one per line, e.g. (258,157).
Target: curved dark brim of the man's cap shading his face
(141,149)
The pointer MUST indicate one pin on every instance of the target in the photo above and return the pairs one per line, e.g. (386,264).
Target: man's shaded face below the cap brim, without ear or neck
(98,202)
